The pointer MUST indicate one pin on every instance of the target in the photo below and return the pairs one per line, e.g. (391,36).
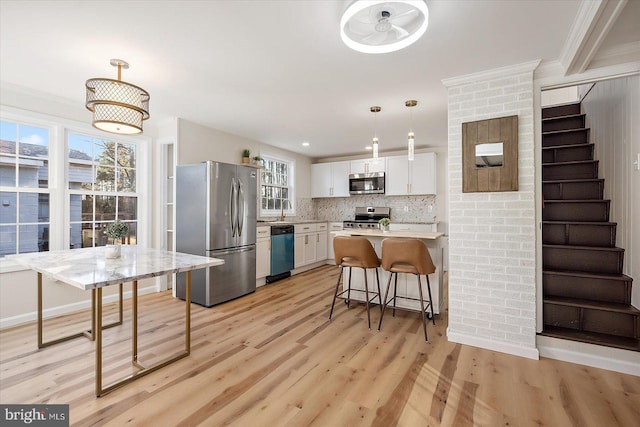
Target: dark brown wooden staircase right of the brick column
(586,296)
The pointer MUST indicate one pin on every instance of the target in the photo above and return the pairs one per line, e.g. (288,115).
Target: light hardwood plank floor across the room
(274,359)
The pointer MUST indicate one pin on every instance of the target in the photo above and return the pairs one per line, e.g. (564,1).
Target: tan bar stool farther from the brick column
(355,251)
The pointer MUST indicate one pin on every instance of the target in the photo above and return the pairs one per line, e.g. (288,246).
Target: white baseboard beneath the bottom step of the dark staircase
(612,359)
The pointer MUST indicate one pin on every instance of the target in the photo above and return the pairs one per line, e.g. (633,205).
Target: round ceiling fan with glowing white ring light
(378,26)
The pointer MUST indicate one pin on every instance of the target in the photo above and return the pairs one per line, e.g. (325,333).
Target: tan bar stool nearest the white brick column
(409,256)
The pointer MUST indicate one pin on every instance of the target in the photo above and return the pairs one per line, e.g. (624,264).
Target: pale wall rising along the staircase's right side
(613,115)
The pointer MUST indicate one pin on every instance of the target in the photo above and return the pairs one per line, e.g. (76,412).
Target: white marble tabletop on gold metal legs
(88,268)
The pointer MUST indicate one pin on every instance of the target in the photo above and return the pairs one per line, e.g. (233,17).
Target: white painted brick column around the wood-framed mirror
(492,284)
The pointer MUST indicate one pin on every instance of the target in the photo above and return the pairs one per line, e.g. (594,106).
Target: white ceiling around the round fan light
(275,71)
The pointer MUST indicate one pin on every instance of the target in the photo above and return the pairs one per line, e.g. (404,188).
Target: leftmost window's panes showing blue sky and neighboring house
(24,188)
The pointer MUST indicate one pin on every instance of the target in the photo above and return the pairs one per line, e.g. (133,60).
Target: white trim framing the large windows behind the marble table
(59,194)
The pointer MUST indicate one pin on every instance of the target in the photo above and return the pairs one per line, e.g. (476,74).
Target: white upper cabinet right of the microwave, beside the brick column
(411,178)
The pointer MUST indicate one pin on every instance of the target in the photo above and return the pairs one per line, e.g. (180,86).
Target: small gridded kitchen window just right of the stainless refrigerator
(277,186)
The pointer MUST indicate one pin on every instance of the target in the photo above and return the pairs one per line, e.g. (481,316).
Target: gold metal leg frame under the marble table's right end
(100,390)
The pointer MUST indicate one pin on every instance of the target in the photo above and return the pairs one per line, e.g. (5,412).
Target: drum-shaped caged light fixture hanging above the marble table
(117,106)
